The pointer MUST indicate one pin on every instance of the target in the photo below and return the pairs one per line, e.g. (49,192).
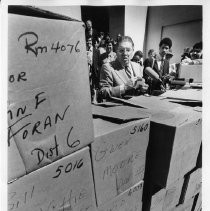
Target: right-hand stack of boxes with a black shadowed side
(173,151)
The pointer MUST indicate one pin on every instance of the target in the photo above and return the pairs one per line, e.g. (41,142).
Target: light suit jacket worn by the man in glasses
(113,75)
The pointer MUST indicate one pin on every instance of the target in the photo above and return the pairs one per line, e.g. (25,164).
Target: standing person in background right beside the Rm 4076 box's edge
(93,58)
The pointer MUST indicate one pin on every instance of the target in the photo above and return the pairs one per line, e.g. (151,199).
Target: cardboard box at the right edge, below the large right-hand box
(193,185)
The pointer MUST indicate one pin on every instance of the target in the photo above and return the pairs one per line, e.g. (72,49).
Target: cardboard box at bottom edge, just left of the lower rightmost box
(173,194)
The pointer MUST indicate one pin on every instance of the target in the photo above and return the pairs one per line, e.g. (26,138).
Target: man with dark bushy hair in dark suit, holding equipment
(160,65)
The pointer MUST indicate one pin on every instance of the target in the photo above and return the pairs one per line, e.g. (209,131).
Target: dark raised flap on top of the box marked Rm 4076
(37,12)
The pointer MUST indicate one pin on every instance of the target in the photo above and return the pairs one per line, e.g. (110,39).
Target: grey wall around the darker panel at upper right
(167,15)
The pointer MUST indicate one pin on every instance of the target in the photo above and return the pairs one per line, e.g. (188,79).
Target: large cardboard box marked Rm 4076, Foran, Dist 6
(49,111)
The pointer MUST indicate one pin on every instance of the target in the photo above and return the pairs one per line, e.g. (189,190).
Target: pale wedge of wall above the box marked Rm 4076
(71,11)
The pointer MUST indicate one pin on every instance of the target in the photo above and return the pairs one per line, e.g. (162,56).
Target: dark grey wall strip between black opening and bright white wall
(116,20)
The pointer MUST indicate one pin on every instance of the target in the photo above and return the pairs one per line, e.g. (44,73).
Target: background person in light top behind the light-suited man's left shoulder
(109,55)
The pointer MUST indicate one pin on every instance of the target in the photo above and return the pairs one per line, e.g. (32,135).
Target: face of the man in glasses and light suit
(124,52)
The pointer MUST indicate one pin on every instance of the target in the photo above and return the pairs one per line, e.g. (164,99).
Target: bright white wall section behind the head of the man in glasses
(135,22)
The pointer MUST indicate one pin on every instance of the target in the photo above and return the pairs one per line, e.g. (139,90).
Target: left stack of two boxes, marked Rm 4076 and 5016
(49,113)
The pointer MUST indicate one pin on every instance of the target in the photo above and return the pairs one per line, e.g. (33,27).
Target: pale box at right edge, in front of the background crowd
(190,71)
